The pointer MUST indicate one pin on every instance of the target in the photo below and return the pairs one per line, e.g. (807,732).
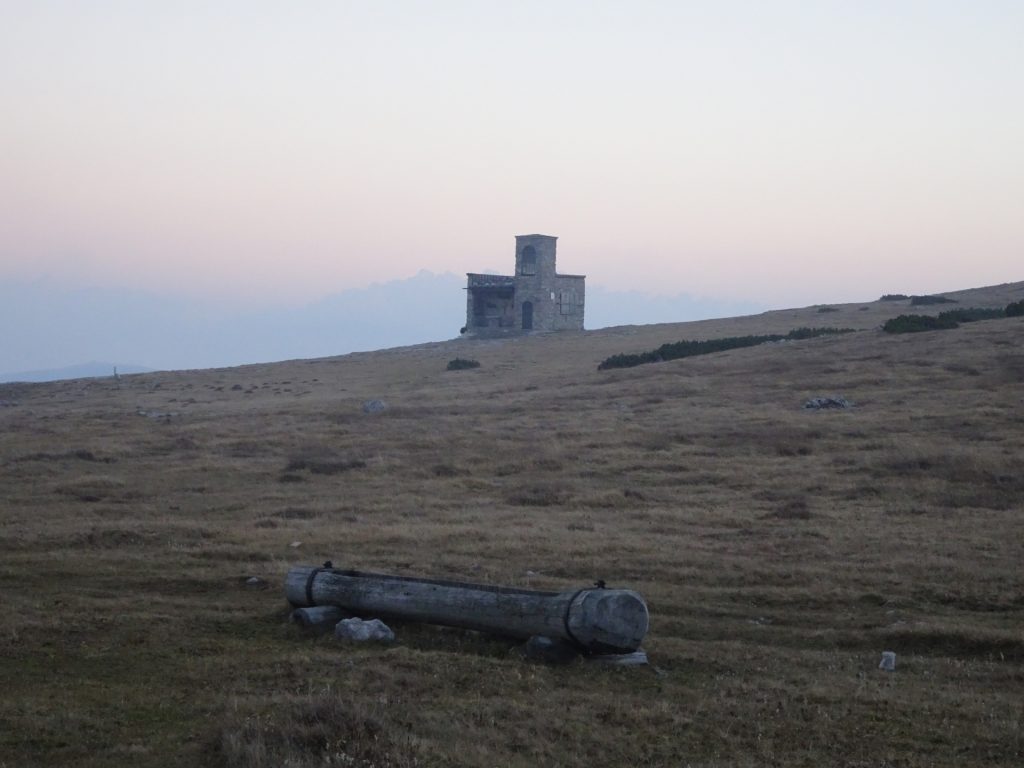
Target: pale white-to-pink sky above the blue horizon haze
(786,152)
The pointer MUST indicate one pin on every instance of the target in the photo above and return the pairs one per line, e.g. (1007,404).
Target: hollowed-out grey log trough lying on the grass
(595,620)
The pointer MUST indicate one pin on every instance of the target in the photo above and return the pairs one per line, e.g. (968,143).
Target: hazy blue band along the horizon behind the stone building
(50,329)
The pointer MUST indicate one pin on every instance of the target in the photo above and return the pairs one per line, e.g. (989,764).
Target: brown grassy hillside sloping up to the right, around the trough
(781,551)
